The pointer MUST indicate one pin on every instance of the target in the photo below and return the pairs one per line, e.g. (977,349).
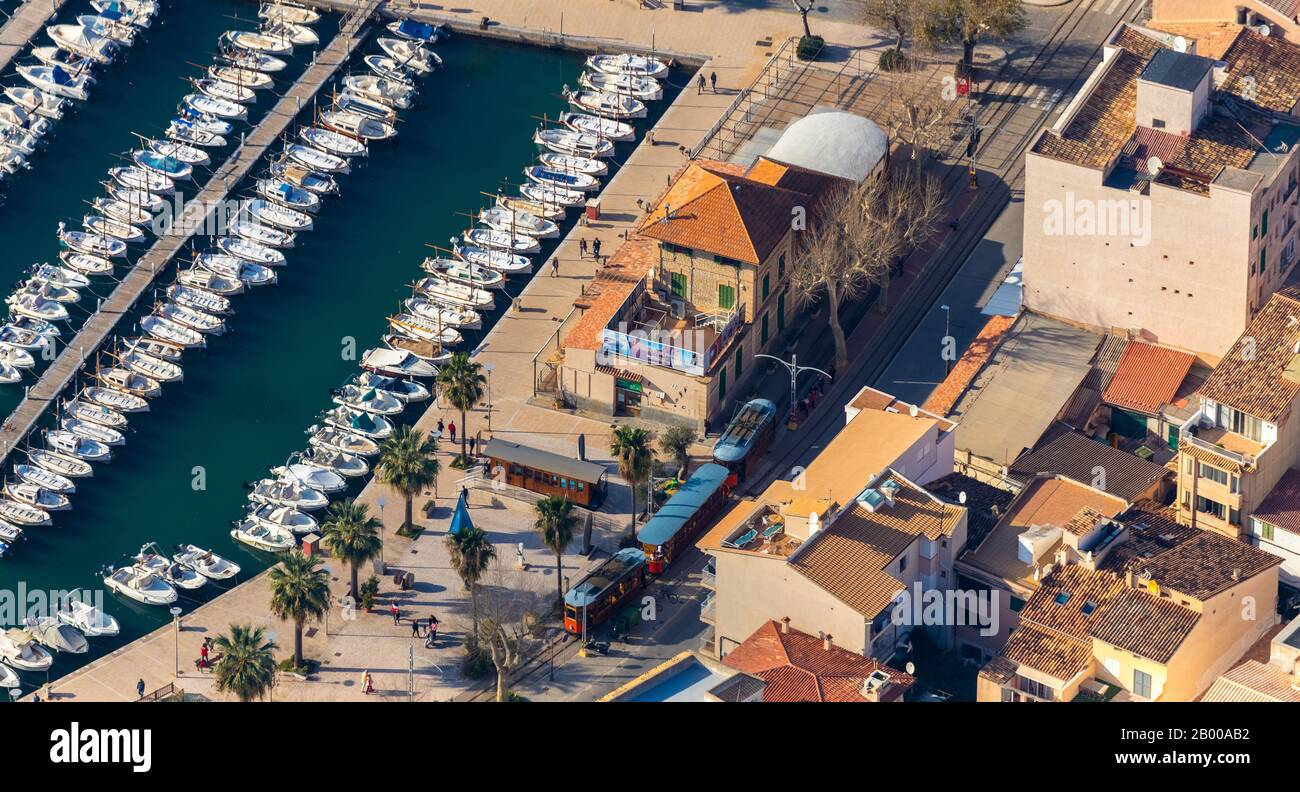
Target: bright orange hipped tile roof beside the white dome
(717,211)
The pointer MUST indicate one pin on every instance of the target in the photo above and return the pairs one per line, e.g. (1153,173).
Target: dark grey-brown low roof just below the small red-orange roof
(1077,457)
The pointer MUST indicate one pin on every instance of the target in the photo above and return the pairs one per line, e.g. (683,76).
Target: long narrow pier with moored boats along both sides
(142,275)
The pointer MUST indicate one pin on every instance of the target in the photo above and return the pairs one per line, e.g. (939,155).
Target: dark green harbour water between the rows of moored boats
(248,399)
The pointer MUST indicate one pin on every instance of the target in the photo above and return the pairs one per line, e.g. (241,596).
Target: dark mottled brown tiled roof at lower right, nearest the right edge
(1204,565)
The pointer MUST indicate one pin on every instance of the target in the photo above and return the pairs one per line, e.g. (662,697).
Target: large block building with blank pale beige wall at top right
(1163,200)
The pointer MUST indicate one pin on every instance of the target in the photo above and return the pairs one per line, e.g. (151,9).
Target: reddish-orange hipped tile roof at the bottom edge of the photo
(799,668)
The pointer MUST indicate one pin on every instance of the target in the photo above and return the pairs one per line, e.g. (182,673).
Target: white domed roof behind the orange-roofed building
(833,142)
